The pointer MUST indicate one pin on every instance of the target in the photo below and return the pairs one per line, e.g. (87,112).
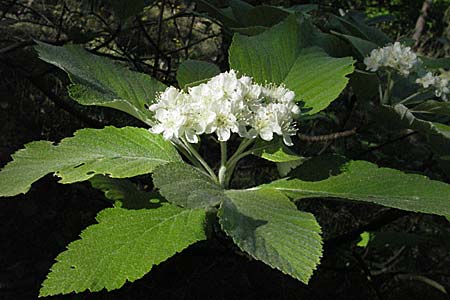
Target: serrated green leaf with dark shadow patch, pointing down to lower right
(266,225)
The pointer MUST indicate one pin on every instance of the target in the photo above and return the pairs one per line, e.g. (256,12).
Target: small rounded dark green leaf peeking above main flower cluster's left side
(192,72)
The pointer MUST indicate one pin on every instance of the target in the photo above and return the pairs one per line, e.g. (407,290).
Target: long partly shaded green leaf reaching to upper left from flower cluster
(99,81)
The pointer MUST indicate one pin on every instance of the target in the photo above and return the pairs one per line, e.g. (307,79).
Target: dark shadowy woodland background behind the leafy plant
(34,105)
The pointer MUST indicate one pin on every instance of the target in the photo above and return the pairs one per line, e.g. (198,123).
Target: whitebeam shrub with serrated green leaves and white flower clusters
(191,199)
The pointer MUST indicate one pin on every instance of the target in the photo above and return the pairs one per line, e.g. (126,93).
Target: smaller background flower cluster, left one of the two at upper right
(396,56)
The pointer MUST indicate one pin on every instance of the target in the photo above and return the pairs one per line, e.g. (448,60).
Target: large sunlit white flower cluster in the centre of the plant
(226,104)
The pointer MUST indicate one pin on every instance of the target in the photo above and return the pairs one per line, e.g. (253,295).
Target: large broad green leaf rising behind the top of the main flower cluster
(279,55)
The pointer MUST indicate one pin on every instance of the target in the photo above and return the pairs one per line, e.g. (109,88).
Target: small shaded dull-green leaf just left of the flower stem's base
(186,186)
